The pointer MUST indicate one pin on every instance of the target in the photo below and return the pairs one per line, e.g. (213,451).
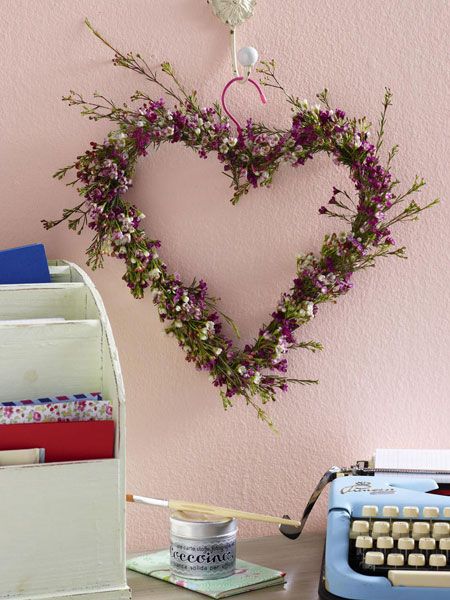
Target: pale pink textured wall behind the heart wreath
(384,370)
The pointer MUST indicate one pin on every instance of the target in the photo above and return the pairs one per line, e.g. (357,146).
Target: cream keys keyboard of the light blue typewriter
(408,545)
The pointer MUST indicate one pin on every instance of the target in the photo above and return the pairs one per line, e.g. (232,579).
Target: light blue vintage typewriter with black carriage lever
(388,535)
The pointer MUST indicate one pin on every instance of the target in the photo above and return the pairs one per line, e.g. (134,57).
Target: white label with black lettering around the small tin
(202,559)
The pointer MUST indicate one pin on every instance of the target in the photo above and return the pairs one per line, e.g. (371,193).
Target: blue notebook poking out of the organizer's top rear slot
(27,264)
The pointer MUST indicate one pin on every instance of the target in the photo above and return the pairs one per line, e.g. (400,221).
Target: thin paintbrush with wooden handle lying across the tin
(211,510)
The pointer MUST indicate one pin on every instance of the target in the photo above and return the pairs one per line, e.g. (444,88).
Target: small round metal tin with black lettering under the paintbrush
(202,546)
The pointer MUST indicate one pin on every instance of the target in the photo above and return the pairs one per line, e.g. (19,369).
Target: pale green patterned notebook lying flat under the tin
(247,576)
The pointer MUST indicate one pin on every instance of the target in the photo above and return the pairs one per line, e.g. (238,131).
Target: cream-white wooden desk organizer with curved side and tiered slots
(62,525)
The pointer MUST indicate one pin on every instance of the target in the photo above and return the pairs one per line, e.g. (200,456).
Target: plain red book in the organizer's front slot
(78,440)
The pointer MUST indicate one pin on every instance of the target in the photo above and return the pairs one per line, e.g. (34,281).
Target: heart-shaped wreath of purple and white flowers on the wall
(104,174)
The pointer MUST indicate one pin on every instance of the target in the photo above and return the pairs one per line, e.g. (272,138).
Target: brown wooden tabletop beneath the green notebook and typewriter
(300,559)
